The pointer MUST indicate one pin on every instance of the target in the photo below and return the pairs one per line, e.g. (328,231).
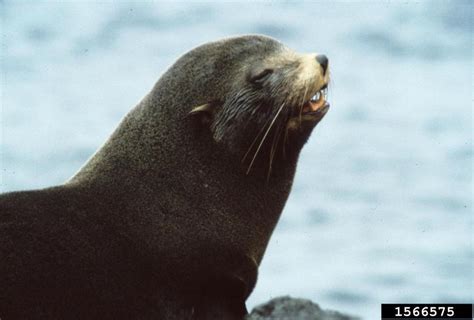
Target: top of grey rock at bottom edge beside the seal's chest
(287,308)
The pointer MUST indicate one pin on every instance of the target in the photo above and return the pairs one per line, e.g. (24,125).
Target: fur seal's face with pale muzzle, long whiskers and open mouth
(273,96)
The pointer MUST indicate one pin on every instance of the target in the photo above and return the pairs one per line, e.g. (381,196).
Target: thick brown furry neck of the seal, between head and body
(160,166)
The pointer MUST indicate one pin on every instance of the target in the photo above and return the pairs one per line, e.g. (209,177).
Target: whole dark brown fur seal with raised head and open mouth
(171,217)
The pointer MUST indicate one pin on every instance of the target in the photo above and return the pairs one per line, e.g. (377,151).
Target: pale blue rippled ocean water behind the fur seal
(381,208)
